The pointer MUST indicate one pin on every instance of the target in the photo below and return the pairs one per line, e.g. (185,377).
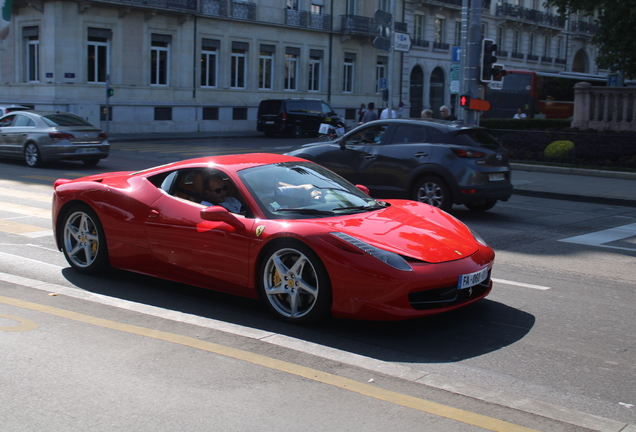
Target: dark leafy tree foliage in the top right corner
(616,21)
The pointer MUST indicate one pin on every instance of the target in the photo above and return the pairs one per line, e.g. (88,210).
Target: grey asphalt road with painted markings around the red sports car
(552,348)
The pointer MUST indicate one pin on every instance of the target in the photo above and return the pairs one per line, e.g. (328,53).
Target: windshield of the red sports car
(298,190)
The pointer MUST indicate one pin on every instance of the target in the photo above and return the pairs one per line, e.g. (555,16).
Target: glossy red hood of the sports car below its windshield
(410,229)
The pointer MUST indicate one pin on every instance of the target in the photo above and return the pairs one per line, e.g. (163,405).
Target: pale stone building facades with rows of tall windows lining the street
(204,65)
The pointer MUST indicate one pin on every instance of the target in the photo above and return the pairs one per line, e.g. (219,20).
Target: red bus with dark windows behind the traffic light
(539,94)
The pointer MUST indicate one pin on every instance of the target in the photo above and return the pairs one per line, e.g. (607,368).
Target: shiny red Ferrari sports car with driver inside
(277,227)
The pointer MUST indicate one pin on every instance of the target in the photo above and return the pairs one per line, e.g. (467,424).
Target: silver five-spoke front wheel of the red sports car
(295,284)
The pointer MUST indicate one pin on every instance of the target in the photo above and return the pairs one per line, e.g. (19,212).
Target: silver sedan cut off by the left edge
(42,136)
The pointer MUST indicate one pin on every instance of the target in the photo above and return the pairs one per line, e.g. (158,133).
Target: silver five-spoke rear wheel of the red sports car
(83,242)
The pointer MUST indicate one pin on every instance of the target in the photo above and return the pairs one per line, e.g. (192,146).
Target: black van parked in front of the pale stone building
(295,116)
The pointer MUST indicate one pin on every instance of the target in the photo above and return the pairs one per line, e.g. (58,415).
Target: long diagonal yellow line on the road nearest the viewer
(423,405)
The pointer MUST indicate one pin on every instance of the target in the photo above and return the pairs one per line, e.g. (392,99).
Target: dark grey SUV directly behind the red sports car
(433,161)
